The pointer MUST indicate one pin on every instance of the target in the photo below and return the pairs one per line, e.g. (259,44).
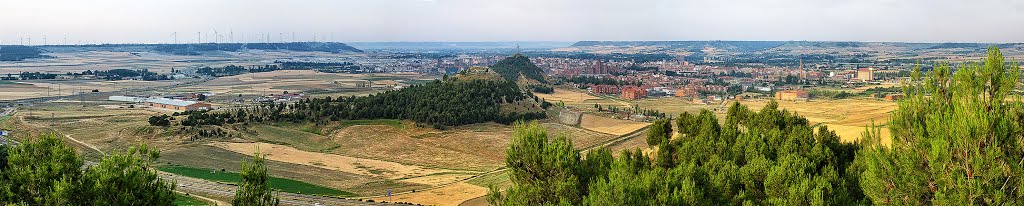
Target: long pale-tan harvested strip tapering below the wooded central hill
(328,161)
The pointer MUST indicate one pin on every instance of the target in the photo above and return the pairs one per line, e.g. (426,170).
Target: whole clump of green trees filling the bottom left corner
(47,172)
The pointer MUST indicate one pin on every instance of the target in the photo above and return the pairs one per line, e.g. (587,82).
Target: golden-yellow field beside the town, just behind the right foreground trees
(847,117)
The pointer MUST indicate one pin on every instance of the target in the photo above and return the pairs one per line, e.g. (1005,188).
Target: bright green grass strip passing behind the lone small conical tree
(284,185)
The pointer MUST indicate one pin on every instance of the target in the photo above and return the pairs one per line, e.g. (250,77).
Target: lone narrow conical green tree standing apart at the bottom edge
(255,187)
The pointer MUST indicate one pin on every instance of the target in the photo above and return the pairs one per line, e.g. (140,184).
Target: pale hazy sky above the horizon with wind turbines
(350,21)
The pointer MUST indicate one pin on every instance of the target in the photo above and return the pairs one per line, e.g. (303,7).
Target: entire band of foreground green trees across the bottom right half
(956,141)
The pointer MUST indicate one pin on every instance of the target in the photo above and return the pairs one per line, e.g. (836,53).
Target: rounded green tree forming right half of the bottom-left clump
(129,179)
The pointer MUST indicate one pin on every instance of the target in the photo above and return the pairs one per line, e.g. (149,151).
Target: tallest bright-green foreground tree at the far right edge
(956,140)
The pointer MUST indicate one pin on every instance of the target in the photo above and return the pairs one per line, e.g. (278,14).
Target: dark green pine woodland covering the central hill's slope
(438,104)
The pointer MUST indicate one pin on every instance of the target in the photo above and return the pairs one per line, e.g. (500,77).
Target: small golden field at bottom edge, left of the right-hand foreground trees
(451,195)
